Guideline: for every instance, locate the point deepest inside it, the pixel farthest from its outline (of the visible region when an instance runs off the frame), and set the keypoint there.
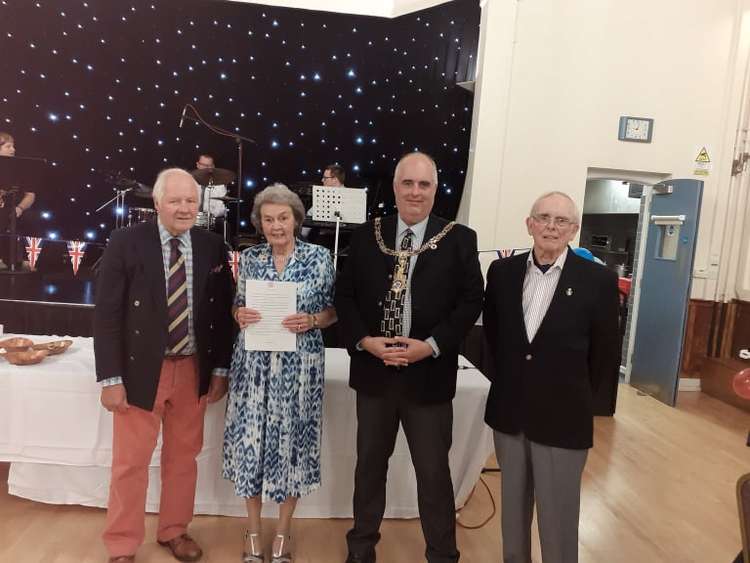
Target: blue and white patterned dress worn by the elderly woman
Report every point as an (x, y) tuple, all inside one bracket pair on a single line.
[(273, 422)]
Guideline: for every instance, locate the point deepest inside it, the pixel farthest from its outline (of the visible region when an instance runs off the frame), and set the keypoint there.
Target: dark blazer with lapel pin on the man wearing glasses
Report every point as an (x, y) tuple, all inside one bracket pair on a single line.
[(544, 388)]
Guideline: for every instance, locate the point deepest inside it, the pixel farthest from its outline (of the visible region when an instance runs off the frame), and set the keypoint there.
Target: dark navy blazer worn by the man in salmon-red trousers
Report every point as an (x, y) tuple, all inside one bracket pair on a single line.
[(130, 317)]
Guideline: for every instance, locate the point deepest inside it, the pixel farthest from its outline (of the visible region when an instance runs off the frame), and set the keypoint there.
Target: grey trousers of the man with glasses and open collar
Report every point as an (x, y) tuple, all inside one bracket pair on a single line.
[(552, 477)]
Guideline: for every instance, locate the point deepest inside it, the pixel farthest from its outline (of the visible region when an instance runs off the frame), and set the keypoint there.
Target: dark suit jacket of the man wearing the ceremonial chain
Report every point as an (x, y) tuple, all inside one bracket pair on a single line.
[(446, 298)]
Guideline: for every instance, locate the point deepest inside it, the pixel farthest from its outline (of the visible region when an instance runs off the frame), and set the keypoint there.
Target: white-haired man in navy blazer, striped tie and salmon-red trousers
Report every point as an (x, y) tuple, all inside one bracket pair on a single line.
[(162, 344)]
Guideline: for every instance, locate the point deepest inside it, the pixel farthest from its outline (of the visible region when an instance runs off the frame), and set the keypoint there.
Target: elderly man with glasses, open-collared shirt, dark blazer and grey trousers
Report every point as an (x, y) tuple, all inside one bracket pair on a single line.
[(551, 323)]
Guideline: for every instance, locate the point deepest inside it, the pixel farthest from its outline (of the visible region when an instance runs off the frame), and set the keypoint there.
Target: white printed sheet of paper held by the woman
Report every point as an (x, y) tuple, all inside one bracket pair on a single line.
[(274, 301)]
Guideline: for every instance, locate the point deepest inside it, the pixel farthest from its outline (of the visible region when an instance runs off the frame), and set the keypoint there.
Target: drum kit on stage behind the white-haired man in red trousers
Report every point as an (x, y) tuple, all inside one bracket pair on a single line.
[(207, 178)]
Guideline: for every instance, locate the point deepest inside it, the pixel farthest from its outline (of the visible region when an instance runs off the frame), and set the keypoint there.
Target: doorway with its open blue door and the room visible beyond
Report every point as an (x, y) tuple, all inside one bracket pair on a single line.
[(625, 222)]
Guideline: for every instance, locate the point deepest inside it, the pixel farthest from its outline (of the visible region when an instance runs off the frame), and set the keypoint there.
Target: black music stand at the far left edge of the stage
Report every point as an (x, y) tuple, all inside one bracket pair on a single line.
[(16, 171)]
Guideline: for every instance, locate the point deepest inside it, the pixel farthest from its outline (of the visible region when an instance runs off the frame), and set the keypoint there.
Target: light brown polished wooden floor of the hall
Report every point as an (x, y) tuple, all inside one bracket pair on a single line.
[(658, 486)]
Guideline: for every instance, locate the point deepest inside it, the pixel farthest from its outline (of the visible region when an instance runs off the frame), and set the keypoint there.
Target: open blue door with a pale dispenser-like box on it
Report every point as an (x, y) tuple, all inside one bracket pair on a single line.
[(665, 288)]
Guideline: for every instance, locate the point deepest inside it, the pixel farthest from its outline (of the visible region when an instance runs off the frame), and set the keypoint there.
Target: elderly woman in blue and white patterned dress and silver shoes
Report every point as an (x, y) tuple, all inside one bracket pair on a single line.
[(273, 421)]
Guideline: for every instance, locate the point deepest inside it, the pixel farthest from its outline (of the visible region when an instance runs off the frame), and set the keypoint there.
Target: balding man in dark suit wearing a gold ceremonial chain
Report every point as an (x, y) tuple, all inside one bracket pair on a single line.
[(404, 359)]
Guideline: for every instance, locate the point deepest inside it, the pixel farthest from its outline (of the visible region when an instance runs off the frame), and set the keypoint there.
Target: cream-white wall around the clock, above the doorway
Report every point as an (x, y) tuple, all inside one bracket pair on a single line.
[(554, 79)]
